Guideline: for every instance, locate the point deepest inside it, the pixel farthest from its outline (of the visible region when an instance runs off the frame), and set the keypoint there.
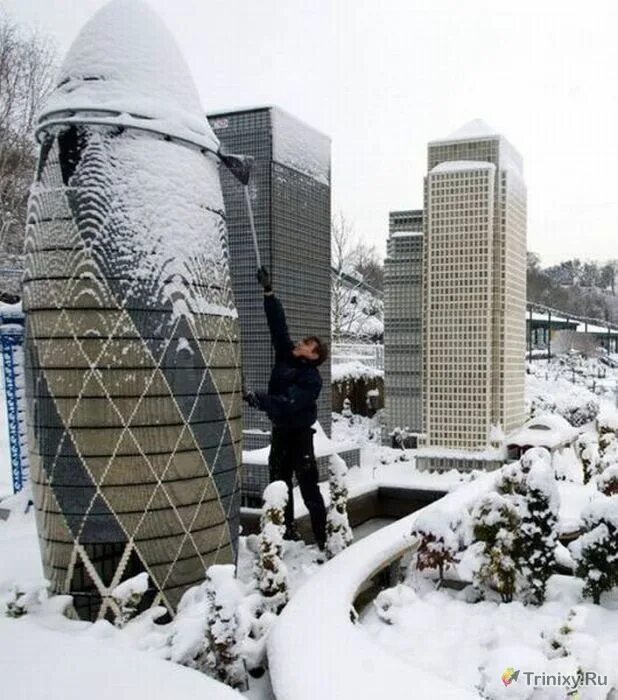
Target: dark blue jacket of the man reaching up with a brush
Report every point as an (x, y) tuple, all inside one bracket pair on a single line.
[(295, 383)]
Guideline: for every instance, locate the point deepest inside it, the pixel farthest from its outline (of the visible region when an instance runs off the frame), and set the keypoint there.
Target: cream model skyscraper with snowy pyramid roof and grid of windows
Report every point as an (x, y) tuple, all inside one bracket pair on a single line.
[(475, 288)]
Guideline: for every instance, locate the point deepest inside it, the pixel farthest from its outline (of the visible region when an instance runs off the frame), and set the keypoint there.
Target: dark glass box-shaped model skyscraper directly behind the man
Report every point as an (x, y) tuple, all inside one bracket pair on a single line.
[(290, 194)]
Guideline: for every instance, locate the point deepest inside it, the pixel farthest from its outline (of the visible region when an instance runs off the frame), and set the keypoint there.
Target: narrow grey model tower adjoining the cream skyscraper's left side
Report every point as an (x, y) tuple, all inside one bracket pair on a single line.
[(403, 309)]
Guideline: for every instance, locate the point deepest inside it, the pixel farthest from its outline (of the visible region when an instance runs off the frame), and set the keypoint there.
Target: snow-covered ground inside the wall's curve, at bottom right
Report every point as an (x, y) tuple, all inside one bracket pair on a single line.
[(475, 644)]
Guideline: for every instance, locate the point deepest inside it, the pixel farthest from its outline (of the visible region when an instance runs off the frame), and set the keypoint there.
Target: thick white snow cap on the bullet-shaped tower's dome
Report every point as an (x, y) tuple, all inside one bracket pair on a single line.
[(125, 68)]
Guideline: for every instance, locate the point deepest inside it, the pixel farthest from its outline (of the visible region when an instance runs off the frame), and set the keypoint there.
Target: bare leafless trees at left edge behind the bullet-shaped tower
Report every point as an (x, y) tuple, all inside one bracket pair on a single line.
[(27, 68)]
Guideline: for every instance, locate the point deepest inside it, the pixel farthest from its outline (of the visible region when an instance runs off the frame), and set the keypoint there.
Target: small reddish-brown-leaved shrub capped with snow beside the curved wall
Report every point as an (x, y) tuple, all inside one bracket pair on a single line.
[(438, 544)]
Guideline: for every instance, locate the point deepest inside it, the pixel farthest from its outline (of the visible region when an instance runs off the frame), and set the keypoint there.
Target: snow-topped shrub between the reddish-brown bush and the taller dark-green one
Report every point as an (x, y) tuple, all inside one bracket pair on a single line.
[(495, 522)]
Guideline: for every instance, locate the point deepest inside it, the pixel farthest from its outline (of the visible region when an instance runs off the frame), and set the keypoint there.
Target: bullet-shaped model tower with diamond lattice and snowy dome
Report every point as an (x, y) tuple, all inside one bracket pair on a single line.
[(133, 367)]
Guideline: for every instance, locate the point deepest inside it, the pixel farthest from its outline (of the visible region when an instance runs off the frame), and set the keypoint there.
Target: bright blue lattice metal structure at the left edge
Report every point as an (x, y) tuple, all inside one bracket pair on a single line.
[(11, 343)]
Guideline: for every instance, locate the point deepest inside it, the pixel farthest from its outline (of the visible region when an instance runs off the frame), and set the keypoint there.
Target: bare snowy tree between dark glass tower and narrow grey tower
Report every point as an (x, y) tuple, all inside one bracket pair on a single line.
[(355, 311)]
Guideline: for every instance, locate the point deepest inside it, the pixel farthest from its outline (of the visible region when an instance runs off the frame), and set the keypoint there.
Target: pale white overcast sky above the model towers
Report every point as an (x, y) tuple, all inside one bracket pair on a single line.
[(382, 78)]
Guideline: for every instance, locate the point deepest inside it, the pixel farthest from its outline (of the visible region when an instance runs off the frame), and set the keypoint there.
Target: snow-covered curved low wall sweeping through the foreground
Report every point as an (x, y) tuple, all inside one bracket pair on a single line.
[(316, 651)]
